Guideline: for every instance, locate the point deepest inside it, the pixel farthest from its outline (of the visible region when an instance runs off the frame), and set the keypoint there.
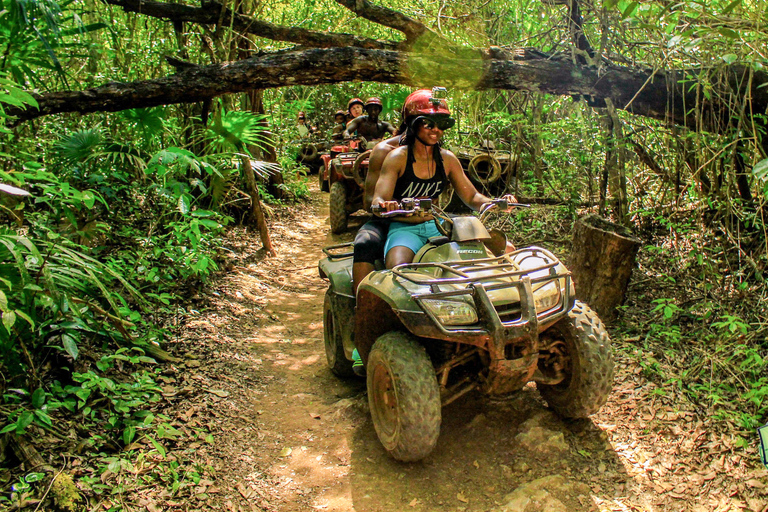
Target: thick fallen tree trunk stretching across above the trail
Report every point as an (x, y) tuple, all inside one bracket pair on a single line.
[(659, 95)]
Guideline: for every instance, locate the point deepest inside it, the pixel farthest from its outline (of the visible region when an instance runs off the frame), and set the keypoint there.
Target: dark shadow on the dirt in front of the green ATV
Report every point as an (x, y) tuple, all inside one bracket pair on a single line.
[(480, 459)]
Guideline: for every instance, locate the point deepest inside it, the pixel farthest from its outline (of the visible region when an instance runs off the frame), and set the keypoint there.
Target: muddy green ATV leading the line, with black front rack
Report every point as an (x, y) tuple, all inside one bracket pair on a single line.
[(463, 316)]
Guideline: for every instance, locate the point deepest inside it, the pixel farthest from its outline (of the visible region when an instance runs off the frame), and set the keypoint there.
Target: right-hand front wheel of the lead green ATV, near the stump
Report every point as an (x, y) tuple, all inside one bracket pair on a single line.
[(582, 349)]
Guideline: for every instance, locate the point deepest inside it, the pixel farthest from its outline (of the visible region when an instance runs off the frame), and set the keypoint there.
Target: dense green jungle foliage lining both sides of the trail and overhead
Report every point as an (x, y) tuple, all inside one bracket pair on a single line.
[(125, 211)]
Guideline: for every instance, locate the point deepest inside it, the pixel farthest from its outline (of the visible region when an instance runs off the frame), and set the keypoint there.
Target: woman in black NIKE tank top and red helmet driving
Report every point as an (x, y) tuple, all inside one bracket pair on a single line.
[(421, 168)]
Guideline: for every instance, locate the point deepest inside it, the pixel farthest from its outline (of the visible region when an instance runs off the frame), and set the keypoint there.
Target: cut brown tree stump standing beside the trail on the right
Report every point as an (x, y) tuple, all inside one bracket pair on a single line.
[(601, 262)]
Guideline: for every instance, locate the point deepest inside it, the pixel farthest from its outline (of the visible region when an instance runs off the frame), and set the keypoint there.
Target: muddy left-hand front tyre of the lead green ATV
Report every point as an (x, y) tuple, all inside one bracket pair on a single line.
[(403, 396)]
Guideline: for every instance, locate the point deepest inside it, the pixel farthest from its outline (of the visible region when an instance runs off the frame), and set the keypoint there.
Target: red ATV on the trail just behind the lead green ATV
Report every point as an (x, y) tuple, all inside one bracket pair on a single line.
[(343, 174)]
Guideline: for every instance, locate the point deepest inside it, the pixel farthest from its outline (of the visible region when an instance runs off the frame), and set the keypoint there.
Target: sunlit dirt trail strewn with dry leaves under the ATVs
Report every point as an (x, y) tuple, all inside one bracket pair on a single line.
[(290, 436)]
